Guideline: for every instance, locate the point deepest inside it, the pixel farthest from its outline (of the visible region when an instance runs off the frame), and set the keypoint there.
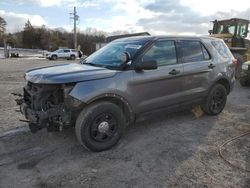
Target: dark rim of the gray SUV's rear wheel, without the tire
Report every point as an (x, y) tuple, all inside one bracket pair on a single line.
[(218, 101)]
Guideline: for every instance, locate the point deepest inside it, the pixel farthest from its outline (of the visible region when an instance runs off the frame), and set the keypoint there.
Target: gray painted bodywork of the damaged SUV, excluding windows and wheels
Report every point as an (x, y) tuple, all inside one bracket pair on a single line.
[(144, 90)]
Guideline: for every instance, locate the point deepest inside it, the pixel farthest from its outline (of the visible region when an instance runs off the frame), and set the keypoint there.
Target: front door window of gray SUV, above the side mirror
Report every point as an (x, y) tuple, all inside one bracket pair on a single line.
[(163, 52)]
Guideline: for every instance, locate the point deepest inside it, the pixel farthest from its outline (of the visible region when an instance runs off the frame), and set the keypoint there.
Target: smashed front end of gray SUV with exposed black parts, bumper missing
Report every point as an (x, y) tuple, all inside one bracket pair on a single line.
[(48, 106)]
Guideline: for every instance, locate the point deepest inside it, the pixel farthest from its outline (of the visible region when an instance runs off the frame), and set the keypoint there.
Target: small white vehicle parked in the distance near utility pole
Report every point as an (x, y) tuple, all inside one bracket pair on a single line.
[(69, 54)]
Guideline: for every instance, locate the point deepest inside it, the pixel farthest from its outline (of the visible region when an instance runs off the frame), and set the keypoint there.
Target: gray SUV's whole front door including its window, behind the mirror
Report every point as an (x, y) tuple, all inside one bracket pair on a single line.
[(156, 89)]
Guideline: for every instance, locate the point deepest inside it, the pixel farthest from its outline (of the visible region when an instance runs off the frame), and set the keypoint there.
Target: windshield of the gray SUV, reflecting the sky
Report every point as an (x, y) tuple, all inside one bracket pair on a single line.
[(110, 56)]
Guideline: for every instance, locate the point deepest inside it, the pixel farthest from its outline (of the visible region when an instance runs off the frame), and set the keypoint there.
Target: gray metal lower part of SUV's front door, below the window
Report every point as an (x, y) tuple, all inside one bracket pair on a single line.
[(152, 88)]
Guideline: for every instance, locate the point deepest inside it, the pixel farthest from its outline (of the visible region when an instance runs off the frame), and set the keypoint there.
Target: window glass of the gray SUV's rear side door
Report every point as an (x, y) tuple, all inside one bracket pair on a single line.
[(193, 51)]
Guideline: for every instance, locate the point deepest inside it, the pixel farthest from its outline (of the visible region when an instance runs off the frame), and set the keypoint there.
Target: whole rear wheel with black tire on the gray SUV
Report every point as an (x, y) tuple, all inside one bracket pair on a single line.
[(216, 100)]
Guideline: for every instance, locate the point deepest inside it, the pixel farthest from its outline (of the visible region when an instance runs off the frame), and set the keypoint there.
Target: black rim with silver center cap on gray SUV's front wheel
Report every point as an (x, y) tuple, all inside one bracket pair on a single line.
[(104, 127)]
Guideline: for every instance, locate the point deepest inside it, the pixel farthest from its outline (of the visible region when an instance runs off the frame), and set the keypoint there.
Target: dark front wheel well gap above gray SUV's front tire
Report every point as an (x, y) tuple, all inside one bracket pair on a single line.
[(122, 104)]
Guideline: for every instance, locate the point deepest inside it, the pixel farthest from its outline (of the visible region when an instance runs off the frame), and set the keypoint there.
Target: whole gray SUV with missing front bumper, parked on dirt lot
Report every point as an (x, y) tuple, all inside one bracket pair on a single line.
[(125, 80)]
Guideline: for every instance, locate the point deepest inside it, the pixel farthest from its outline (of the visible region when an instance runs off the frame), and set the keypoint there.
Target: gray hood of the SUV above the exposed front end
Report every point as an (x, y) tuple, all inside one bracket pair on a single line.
[(67, 73)]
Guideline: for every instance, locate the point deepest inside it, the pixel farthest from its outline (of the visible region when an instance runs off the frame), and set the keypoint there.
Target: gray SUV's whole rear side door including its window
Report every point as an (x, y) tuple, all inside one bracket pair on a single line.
[(198, 68)]
